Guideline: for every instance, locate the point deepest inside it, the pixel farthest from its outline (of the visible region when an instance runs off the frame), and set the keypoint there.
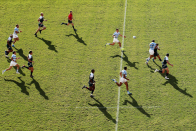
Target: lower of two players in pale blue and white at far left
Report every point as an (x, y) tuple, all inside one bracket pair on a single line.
[(13, 63)]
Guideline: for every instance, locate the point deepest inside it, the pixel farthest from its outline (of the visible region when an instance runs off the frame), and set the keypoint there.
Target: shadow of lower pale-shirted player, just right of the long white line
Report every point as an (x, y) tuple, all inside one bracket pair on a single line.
[(135, 104)]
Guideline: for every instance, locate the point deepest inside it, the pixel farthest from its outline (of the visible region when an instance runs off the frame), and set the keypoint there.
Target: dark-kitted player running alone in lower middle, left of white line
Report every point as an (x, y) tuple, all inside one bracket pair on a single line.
[(91, 83)]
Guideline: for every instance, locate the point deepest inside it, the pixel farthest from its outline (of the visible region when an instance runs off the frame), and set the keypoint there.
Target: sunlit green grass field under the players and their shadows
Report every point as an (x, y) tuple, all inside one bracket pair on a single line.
[(54, 100)]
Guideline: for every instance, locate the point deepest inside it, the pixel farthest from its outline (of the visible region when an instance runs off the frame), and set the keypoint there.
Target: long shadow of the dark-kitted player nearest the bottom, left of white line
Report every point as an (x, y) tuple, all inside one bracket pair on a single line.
[(103, 110)]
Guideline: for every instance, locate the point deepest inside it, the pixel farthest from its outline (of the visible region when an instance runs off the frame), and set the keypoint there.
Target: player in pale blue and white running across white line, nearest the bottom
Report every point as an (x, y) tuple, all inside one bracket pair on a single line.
[(123, 79)]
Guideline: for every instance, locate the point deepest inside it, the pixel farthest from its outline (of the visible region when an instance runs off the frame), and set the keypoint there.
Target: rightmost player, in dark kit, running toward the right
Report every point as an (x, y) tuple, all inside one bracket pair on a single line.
[(164, 66)]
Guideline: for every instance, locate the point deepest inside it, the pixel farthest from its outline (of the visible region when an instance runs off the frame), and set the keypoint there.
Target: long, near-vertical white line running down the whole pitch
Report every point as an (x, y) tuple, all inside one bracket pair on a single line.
[(117, 113)]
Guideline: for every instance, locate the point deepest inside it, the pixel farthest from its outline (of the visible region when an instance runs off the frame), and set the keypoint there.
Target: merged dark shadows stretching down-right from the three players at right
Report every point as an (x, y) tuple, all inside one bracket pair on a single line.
[(173, 81)]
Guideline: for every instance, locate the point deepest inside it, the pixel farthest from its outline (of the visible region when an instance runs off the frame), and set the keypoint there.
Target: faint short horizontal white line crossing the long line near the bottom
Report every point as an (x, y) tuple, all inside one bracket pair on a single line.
[(121, 107)]
